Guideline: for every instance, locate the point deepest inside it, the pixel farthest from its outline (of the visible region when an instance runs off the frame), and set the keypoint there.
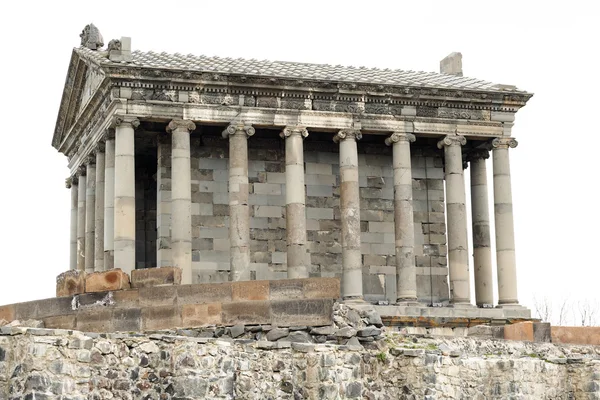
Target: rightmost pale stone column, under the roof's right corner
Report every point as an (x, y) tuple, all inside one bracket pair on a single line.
[(503, 218)]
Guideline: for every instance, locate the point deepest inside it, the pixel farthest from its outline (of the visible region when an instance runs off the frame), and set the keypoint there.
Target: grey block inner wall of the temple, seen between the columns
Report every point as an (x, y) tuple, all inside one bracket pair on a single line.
[(210, 210)]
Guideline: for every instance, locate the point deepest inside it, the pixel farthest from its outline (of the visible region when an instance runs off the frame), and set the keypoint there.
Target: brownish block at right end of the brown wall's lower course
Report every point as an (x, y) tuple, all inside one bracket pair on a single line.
[(301, 312)]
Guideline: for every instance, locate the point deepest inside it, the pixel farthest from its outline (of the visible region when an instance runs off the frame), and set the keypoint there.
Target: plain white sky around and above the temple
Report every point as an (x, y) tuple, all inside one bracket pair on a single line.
[(548, 48)]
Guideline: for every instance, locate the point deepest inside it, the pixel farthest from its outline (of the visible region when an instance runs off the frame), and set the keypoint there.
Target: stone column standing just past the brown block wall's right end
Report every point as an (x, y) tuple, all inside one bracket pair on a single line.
[(352, 287)]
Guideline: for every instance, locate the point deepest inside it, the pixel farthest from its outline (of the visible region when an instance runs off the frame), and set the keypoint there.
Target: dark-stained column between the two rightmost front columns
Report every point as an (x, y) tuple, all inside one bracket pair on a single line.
[(480, 216)]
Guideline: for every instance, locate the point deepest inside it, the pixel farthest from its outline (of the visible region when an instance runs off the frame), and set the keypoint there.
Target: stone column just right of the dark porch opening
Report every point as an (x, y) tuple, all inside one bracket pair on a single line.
[(181, 197)]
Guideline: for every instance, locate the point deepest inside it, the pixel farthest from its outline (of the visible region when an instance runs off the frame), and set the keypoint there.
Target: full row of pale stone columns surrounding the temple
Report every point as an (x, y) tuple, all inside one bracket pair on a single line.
[(102, 234)]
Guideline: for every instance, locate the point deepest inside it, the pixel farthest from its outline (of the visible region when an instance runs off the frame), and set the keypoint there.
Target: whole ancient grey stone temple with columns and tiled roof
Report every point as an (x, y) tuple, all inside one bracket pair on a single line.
[(239, 170)]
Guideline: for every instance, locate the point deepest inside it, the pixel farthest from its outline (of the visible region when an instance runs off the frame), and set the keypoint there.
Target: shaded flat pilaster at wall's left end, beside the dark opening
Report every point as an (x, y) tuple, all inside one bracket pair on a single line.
[(163, 201)]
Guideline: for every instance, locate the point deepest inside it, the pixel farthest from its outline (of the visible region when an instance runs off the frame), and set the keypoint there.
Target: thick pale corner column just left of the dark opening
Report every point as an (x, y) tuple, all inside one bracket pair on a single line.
[(124, 238)]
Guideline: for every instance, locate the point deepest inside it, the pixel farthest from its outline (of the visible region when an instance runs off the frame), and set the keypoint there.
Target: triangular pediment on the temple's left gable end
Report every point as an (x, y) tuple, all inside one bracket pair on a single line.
[(83, 79)]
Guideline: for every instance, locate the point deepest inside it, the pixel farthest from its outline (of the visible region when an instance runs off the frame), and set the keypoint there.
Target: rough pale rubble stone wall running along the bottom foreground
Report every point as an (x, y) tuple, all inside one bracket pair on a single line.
[(69, 365)]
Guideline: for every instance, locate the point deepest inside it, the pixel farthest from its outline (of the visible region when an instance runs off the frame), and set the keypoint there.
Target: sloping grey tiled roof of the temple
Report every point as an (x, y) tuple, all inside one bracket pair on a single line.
[(301, 71)]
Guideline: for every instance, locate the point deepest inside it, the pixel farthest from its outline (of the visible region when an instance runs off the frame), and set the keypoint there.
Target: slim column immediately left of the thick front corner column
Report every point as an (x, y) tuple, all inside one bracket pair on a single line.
[(109, 200)]
